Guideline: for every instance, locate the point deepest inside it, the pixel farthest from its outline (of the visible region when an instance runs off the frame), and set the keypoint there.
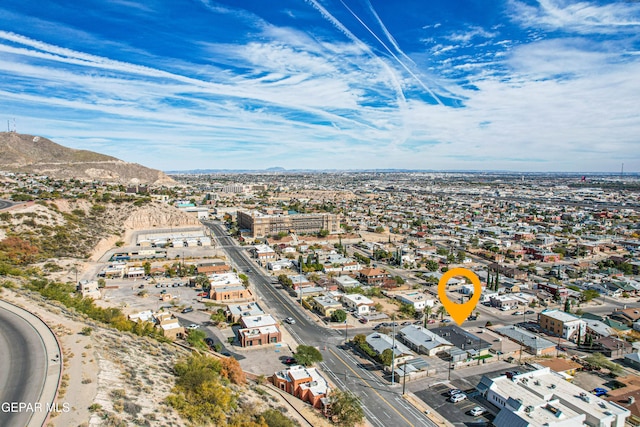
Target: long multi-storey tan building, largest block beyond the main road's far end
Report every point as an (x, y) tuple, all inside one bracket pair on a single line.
[(260, 224)]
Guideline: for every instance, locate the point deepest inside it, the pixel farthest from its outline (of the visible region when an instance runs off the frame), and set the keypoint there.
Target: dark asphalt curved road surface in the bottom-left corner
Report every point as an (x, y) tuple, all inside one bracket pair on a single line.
[(23, 368)]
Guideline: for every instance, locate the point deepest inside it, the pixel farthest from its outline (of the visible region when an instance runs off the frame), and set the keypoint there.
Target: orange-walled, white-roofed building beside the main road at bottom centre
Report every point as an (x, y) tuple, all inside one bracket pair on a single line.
[(304, 383)]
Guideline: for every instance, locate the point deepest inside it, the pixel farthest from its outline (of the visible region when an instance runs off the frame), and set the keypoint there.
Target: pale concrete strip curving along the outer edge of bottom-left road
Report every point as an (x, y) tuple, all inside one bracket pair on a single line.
[(53, 354)]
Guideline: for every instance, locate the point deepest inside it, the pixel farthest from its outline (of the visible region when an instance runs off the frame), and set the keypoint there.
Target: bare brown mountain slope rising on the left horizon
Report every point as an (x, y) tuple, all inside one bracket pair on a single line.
[(35, 154)]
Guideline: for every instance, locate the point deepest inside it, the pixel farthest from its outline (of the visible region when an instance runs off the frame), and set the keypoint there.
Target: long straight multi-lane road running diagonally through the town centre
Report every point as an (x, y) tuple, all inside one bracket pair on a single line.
[(383, 405)]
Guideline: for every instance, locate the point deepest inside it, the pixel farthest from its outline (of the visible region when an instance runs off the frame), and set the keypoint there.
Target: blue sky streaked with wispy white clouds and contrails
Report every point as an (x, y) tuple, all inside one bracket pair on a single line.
[(523, 85)]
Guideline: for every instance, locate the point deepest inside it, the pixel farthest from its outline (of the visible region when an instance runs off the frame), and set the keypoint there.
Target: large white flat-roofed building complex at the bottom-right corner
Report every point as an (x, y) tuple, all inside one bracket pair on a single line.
[(542, 398)]
